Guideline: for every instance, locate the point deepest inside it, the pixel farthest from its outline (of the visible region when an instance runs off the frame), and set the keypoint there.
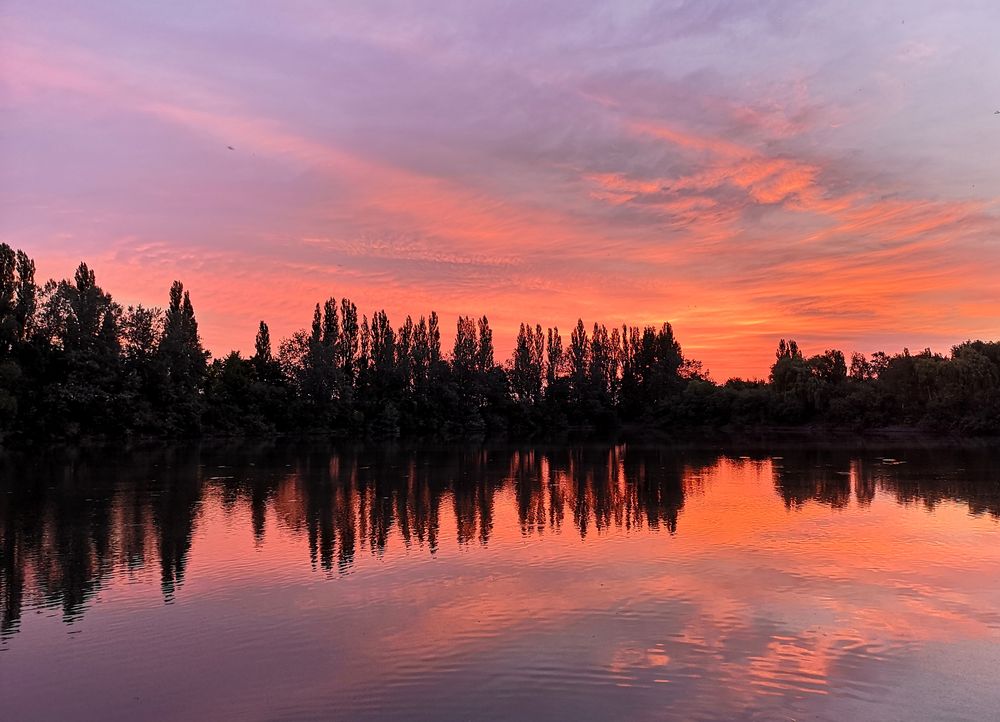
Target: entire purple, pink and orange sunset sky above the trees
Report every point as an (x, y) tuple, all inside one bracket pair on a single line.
[(827, 171)]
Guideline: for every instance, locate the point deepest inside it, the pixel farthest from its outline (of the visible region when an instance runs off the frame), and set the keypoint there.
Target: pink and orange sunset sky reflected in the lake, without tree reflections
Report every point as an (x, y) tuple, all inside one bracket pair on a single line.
[(842, 606)]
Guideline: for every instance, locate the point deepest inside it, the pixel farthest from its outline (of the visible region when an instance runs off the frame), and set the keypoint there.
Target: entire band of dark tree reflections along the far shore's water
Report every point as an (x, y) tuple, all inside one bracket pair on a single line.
[(67, 525)]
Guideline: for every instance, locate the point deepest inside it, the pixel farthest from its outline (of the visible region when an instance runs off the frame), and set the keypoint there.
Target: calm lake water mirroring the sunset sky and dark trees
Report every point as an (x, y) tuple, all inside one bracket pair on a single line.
[(615, 582)]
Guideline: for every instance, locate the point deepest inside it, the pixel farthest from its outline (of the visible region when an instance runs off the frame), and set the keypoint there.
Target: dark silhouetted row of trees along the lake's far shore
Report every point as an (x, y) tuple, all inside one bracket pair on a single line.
[(75, 363)]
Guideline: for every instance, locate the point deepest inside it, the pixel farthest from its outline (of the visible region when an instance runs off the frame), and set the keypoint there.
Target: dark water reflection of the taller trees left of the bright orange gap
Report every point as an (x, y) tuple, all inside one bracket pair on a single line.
[(70, 524)]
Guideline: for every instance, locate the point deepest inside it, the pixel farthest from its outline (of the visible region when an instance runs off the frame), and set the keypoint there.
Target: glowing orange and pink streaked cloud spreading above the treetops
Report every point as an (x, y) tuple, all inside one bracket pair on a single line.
[(736, 241)]
